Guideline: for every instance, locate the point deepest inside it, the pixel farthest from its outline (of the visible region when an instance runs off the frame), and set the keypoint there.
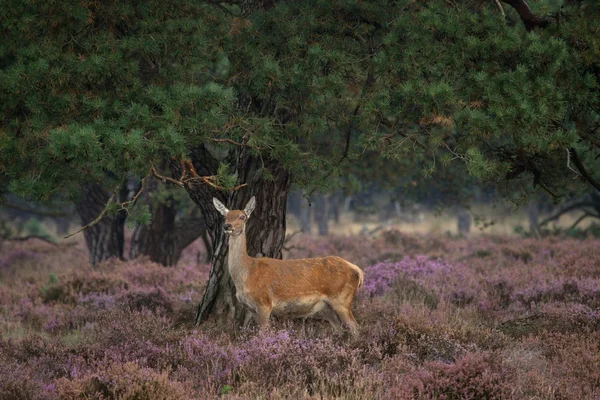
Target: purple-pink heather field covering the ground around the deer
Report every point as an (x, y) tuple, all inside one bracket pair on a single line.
[(441, 318)]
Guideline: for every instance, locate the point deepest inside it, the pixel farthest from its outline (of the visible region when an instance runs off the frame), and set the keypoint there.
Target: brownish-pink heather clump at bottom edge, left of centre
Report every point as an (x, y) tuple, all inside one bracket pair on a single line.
[(126, 381)]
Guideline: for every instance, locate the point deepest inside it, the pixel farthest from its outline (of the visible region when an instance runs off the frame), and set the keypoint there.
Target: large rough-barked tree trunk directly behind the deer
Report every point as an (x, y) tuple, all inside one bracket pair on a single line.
[(265, 231)]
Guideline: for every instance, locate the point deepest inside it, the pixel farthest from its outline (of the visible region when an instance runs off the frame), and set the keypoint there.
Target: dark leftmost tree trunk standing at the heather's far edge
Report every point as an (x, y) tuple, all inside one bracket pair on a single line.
[(105, 239)]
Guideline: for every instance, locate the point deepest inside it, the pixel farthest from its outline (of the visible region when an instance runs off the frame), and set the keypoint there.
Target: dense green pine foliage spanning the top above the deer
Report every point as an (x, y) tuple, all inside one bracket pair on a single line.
[(427, 89)]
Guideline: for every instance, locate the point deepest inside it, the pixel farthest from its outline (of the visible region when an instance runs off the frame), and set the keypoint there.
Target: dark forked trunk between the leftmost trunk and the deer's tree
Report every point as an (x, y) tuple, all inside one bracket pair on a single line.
[(165, 238)]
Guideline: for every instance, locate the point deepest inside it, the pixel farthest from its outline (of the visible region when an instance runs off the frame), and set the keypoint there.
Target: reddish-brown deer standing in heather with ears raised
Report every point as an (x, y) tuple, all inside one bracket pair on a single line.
[(309, 287)]
